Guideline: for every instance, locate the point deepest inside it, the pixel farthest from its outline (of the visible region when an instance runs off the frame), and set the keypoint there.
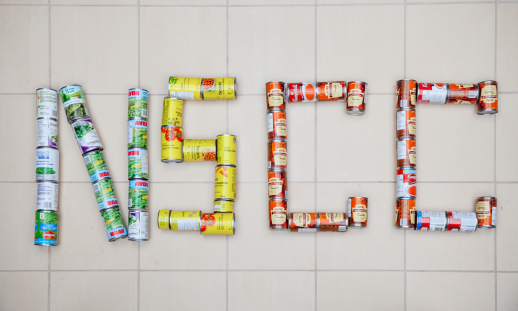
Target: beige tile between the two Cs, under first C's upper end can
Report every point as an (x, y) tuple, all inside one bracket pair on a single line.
[(353, 148)]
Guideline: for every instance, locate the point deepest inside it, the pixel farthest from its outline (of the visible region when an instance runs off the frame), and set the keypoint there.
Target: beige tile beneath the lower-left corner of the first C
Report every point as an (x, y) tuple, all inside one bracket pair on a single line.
[(255, 246)]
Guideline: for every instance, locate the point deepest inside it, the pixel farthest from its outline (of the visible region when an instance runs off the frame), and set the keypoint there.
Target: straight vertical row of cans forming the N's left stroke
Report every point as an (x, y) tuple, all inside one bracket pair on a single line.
[(47, 168)]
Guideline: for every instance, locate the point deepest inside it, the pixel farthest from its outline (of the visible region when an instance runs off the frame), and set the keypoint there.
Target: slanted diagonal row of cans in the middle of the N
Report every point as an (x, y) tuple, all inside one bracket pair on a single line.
[(91, 149)]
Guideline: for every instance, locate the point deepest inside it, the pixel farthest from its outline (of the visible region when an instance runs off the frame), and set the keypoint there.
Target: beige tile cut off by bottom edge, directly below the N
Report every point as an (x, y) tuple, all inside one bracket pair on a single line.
[(93, 290)]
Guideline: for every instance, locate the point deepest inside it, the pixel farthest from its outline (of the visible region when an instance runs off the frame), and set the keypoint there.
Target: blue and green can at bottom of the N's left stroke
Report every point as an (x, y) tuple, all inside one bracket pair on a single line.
[(46, 228)]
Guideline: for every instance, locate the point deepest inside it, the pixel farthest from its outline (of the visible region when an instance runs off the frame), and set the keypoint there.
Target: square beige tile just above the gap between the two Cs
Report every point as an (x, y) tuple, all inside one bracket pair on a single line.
[(365, 42)]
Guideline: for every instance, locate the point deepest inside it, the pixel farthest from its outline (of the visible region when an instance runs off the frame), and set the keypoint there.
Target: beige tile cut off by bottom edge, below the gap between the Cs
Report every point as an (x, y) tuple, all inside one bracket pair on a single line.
[(360, 290)]
